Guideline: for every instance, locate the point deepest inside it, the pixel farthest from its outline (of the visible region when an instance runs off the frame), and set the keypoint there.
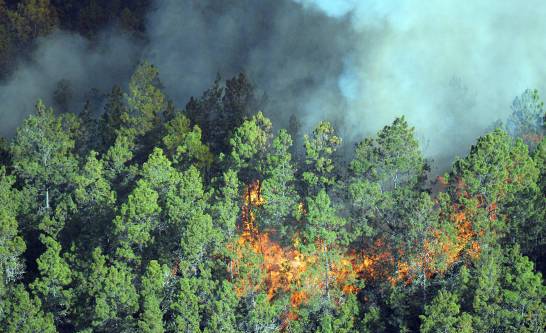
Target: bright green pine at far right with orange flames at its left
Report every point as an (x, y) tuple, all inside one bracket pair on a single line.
[(499, 175)]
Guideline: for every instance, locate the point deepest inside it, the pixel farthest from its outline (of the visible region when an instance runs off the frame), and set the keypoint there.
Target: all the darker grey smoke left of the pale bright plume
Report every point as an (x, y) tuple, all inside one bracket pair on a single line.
[(295, 56)]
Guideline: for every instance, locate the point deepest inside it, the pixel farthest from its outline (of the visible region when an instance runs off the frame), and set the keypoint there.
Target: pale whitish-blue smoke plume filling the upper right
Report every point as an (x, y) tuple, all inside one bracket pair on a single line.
[(451, 67)]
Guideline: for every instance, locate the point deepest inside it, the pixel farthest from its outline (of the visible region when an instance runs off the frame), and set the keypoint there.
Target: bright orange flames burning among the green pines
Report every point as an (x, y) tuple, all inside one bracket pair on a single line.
[(283, 269)]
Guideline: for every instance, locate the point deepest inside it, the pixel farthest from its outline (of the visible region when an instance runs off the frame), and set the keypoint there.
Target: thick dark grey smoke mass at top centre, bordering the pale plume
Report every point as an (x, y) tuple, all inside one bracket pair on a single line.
[(296, 56)]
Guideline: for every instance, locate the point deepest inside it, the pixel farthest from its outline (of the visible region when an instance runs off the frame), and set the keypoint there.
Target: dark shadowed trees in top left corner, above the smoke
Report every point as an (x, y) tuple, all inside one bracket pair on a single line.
[(23, 22)]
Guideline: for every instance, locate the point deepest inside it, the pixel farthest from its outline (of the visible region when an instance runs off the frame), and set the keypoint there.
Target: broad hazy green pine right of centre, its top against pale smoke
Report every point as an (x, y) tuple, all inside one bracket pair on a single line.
[(386, 177)]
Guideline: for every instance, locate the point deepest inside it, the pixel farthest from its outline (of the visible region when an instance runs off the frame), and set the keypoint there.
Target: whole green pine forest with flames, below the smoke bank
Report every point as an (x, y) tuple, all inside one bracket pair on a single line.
[(143, 216)]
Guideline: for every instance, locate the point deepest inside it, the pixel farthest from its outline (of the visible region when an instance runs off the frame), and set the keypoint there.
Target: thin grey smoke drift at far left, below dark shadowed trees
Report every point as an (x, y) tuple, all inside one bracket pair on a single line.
[(69, 60)]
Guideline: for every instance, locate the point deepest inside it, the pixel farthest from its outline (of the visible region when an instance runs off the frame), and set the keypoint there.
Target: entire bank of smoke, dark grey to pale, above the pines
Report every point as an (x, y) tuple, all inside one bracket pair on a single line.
[(451, 67)]
